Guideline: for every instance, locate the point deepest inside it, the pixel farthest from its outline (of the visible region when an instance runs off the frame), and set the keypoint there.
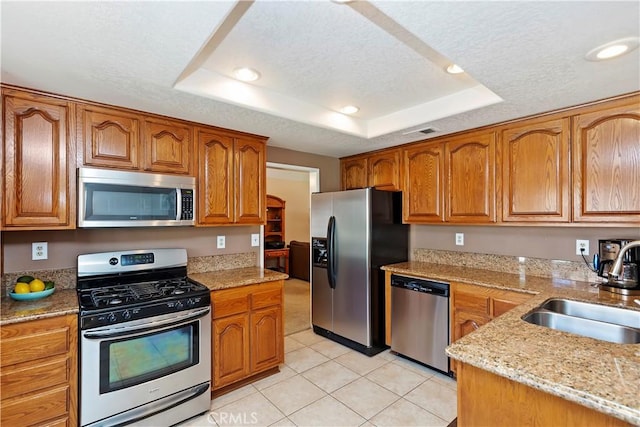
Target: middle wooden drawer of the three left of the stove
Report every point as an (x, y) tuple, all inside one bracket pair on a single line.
[(33, 376)]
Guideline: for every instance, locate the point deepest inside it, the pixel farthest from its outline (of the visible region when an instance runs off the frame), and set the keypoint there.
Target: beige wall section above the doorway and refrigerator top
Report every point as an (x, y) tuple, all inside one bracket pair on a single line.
[(329, 166)]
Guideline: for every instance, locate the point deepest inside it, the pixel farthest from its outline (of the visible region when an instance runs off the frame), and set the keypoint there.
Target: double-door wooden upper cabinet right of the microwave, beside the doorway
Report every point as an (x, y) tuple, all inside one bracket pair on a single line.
[(231, 178)]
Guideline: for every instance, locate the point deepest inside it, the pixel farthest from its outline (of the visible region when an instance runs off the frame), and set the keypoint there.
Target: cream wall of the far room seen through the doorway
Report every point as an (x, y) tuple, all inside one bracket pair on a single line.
[(293, 187)]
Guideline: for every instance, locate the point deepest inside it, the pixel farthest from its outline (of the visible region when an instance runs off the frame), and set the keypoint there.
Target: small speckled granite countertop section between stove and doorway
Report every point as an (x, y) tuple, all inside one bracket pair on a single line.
[(223, 279)]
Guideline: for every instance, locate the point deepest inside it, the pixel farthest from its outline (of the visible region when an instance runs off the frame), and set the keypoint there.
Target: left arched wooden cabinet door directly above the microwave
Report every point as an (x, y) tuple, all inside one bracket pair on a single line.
[(109, 137)]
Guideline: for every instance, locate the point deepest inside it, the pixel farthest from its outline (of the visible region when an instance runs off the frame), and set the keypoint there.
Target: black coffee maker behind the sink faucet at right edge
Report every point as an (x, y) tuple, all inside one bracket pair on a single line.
[(608, 252)]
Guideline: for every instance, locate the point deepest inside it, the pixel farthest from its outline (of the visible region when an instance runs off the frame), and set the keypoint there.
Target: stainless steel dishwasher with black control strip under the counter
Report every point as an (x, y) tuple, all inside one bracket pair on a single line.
[(420, 320)]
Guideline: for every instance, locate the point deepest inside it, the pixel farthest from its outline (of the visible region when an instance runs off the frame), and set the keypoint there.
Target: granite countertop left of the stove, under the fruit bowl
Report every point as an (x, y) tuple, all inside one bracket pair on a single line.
[(61, 302)]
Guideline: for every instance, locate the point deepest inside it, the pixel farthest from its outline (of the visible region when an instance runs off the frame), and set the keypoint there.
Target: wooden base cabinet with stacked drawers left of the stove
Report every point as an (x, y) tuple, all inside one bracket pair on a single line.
[(39, 372)]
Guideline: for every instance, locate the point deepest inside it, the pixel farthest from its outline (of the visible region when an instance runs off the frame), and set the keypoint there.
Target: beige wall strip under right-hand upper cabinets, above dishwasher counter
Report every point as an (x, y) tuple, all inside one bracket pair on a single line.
[(537, 242)]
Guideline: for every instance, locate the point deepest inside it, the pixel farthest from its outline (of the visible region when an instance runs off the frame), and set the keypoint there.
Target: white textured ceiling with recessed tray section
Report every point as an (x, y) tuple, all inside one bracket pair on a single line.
[(387, 57)]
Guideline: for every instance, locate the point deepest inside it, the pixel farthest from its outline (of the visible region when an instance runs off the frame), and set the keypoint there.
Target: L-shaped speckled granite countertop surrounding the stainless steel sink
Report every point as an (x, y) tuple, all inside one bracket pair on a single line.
[(597, 374)]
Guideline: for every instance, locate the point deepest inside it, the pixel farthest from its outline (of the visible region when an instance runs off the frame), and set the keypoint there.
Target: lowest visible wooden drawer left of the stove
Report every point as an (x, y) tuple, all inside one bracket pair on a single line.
[(35, 408)]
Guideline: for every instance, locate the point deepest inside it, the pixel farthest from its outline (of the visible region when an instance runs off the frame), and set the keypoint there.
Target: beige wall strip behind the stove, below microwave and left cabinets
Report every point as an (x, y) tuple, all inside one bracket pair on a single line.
[(65, 246)]
